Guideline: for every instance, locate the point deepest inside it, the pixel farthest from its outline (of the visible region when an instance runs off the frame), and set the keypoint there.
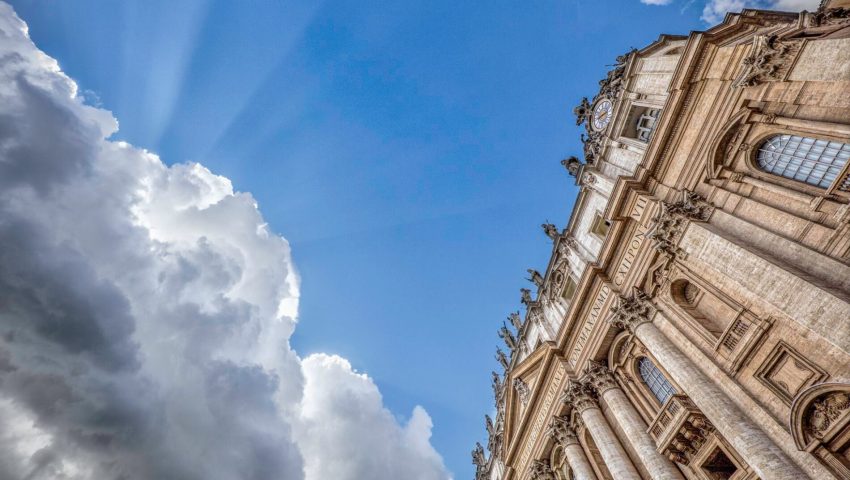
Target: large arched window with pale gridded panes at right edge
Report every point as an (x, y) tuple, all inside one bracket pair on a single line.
[(809, 160)]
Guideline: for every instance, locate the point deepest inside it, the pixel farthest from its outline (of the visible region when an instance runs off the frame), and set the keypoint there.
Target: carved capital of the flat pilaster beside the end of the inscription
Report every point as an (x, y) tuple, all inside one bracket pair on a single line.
[(672, 219)]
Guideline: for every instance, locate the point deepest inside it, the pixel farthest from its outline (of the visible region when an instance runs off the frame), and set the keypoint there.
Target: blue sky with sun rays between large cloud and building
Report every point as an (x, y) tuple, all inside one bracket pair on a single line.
[(408, 151)]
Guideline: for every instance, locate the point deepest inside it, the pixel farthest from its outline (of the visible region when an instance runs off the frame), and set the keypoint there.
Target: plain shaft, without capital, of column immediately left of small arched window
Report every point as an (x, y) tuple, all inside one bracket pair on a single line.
[(659, 467)]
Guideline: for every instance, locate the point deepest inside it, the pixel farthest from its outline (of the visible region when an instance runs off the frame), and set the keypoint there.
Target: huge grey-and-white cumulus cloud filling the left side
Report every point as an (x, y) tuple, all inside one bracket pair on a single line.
[(145, 315)]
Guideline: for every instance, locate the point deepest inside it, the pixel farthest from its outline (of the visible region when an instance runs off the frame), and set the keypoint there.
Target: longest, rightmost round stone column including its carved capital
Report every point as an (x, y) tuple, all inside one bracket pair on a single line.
[(750, 441)]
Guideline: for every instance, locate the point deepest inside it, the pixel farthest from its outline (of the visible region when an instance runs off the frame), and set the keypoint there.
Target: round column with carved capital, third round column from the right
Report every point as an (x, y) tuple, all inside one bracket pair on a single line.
[(581, 397)]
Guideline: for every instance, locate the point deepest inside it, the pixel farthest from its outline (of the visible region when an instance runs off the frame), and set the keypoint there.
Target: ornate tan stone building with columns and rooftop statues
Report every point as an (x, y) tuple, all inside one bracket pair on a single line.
[(693, 321)]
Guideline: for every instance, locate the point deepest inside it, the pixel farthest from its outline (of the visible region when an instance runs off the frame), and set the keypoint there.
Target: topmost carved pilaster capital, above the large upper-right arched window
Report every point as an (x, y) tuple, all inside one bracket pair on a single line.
[(769, 61)]
